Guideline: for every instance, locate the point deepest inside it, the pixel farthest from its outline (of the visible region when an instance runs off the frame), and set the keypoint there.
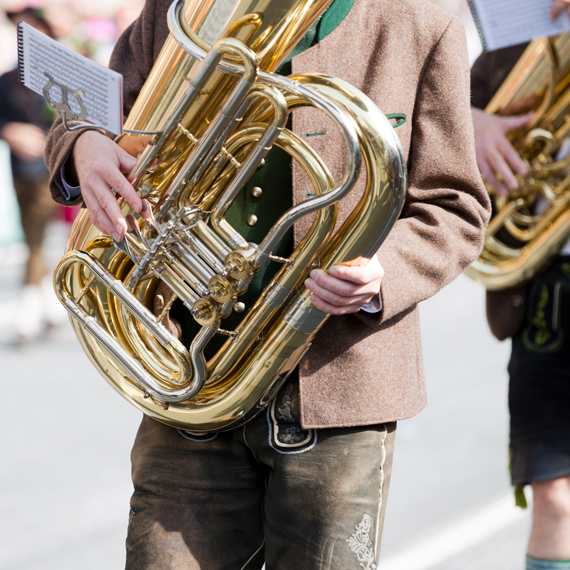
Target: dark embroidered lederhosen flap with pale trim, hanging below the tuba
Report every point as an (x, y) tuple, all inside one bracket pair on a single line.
[(285, 429)]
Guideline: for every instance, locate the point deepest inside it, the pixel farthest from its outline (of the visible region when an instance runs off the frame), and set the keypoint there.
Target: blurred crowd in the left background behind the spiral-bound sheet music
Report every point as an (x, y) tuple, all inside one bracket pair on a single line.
[(26, 209)]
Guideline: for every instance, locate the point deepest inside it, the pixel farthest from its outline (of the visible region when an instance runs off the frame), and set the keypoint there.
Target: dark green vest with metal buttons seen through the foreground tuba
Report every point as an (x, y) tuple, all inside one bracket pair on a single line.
[(275, 179)]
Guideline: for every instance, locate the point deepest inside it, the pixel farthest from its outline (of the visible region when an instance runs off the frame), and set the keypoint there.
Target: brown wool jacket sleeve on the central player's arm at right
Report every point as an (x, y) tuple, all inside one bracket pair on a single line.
[(442, 227)]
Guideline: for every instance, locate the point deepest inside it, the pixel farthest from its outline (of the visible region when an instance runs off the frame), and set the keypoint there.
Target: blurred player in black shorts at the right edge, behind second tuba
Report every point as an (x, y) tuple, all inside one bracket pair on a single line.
[(539, 388)]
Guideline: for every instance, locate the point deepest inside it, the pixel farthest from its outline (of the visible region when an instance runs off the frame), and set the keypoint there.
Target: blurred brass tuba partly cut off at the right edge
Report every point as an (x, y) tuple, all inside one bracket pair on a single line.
[(531, 225)]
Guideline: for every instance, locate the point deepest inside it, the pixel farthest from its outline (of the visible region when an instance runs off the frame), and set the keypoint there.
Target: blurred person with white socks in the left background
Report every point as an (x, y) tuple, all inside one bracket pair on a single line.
[(25, 119)]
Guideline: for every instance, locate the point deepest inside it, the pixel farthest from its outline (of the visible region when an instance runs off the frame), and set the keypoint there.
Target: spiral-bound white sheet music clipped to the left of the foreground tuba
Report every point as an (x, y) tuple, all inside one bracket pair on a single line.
[(103, 88)]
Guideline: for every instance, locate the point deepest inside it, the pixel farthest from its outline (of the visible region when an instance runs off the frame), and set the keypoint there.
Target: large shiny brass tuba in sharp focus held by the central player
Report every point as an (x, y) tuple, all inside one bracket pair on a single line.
[(211, 109)]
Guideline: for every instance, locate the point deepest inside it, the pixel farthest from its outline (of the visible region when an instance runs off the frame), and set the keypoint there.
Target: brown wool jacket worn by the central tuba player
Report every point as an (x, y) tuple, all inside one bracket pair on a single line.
[(409, 57)]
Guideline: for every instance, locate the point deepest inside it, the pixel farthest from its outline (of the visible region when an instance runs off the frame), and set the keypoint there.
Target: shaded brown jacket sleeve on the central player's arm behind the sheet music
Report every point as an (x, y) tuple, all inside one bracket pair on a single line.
[(132, 56)]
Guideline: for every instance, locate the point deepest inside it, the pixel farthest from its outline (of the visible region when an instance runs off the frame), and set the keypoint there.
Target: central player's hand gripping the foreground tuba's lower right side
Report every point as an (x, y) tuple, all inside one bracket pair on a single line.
[(345, 289)]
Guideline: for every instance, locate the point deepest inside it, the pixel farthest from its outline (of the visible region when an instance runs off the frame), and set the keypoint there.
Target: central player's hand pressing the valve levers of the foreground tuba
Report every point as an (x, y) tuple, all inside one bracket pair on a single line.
[(100, 165)]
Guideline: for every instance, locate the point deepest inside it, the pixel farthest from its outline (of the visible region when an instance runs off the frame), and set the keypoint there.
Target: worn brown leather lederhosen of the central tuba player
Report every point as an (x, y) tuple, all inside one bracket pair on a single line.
[(210, 502)]
